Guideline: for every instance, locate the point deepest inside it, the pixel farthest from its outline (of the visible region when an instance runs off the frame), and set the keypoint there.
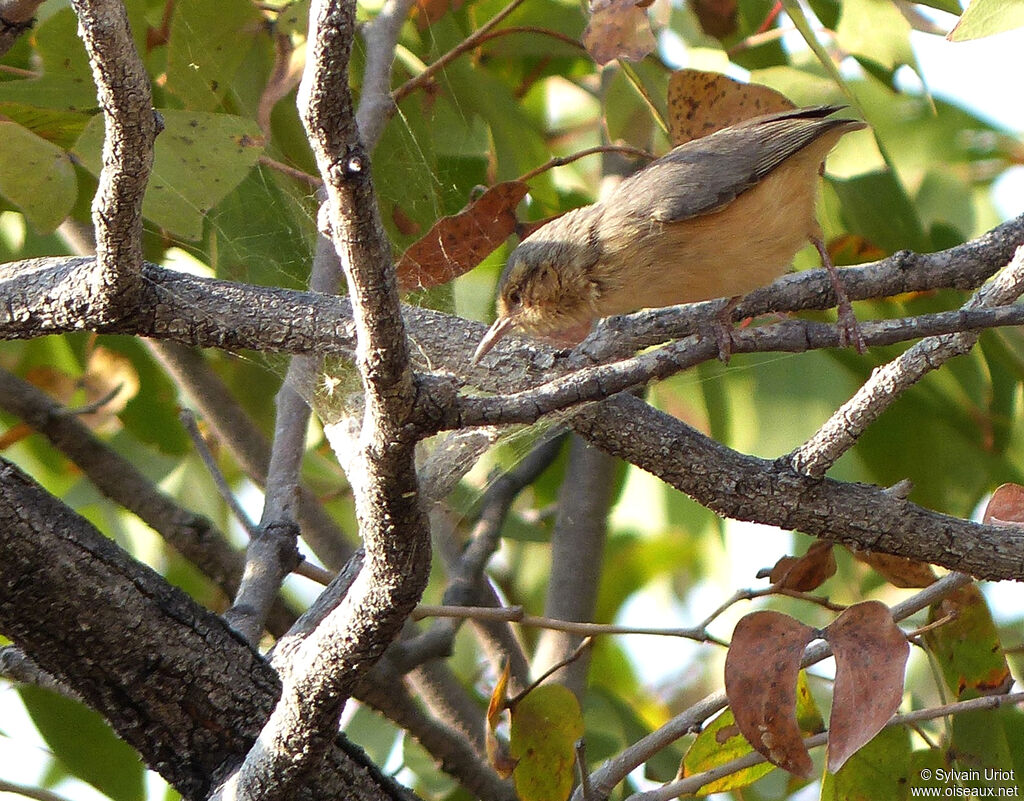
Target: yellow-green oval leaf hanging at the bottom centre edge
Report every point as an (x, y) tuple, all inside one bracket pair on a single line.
[(546, 726)]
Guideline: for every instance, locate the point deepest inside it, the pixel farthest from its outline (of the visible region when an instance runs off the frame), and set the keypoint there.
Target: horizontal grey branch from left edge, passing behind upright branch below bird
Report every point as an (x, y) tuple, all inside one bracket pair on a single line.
[(46, 297)]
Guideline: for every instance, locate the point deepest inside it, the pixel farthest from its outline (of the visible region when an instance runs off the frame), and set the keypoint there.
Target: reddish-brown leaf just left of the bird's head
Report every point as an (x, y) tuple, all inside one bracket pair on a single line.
[(455, 245)]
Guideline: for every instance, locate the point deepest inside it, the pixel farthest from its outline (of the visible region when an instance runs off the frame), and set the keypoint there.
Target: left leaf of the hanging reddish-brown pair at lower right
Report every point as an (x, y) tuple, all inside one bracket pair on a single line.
[(761, 671)]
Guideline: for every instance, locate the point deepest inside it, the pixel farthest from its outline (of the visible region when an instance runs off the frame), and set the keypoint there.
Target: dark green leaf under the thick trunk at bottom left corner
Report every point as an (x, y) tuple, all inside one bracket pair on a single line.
[(86, 745)]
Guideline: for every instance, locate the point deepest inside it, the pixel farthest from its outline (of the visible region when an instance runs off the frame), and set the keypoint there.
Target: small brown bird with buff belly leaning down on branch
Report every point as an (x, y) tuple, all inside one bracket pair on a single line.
[(715, 218)]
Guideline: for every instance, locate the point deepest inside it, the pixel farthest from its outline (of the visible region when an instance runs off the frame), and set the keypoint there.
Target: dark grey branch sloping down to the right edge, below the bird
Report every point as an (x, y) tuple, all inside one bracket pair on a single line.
[(750, 489)]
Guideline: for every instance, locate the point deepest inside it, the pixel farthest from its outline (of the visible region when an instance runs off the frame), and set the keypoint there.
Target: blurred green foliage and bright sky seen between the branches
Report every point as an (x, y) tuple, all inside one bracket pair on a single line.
[(228, 199)]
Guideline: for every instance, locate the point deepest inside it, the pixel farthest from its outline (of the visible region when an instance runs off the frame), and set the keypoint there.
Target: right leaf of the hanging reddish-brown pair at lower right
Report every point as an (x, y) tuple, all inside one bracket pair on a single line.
[(871, 658)]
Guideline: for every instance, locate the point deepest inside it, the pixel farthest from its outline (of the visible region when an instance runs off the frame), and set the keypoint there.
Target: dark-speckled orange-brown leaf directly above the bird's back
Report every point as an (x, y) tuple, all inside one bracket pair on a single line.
[(702, 103)]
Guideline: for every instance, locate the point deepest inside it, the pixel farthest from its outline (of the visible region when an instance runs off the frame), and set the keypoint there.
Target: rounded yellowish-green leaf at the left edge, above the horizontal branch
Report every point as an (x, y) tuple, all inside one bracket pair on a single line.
[(37, 177)]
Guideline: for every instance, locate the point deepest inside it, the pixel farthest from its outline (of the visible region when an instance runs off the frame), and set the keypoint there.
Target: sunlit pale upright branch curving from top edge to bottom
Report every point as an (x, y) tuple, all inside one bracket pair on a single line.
[(327, 665)]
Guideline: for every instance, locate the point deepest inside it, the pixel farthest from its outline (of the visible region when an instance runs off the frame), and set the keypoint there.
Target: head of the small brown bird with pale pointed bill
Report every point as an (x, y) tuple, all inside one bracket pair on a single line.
[(548, 290)]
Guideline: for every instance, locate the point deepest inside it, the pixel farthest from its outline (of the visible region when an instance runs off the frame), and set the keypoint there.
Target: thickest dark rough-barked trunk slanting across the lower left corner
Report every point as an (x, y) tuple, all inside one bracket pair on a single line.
[(174, 680)]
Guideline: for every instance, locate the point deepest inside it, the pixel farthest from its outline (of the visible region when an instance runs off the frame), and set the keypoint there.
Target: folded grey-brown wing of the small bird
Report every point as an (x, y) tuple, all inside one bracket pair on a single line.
[(706, 175)]
